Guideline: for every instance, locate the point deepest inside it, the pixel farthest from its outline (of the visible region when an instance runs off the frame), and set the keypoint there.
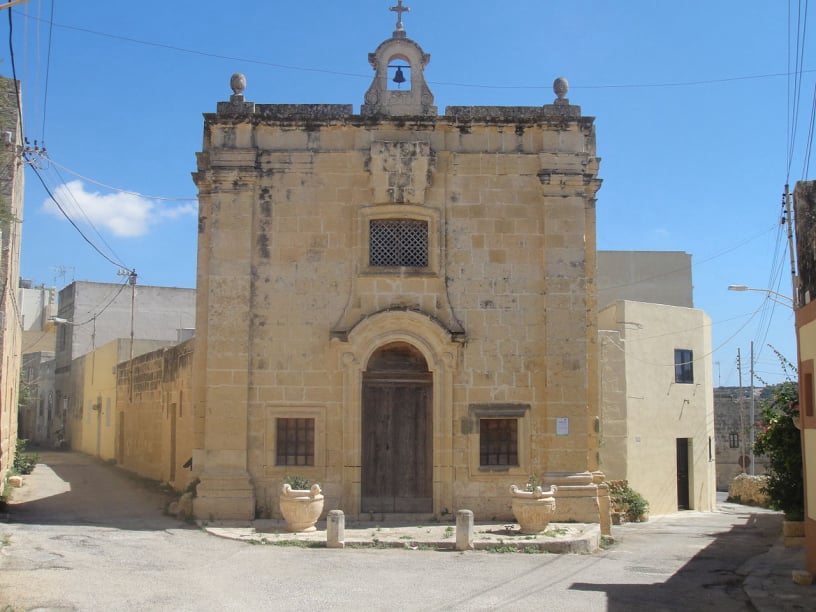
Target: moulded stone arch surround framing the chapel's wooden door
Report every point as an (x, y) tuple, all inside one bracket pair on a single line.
[(441, 354)]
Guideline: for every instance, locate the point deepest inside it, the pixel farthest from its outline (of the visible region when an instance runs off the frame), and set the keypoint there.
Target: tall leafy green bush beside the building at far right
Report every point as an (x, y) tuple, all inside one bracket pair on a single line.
[(779, 439)]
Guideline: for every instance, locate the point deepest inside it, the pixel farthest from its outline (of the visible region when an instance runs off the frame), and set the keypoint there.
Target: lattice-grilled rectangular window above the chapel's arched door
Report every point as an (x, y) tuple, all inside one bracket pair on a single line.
[(398, 242)]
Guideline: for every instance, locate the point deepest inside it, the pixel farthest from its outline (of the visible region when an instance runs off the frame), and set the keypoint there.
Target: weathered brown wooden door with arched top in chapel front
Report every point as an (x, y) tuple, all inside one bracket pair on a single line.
[(397, 453)]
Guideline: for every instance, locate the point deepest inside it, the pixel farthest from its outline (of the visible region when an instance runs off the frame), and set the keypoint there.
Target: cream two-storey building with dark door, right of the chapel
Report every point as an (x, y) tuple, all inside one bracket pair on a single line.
[(657, 406)]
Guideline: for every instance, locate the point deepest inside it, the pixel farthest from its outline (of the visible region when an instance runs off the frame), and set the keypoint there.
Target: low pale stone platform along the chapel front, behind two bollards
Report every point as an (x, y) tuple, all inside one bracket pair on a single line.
[(577, 538)]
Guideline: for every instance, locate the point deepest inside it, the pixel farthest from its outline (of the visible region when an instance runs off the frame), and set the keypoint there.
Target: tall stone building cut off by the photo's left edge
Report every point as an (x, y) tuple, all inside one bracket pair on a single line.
[(11, 213)]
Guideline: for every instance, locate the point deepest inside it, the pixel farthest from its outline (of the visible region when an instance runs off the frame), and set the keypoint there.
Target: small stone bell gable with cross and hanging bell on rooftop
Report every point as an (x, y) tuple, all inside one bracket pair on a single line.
[(399, 88)]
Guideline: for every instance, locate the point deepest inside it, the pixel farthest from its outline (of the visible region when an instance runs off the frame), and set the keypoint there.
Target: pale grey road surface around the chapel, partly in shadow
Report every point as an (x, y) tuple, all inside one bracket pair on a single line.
[(83, 535)]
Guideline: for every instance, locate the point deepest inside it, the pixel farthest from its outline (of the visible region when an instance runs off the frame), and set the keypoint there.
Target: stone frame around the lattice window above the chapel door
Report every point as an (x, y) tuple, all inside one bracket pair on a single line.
[(407, 212)]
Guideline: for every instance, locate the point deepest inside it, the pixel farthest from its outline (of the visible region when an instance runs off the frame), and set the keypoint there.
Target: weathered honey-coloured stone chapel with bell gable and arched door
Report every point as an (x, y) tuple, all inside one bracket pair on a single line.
[(397, 304)]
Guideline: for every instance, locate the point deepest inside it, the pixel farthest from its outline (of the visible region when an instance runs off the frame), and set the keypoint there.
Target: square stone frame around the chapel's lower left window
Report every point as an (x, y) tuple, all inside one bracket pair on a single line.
[(288, 411)]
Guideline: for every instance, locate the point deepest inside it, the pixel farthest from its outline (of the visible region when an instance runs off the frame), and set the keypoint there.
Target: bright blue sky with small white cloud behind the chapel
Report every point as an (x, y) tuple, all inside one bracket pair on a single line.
[(692, 103)]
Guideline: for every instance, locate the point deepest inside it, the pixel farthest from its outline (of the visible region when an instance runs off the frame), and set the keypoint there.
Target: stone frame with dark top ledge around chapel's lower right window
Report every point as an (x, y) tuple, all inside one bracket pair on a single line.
[(472, 425)]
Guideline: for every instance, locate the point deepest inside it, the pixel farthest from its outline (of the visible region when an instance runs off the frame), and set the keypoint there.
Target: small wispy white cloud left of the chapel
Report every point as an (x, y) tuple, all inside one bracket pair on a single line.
[(125, 215)]
